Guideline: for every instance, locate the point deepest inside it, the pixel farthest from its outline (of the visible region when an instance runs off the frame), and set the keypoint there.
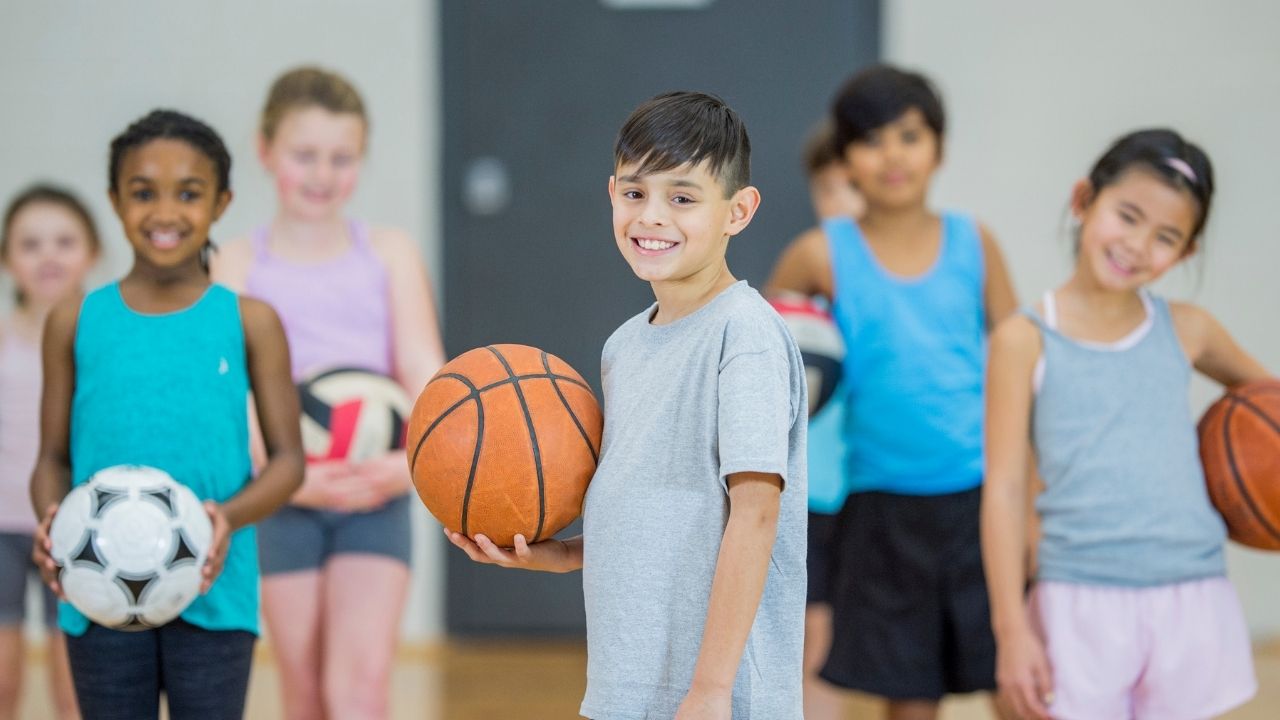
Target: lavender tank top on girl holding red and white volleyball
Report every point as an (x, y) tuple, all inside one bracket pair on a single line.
[(336, 313)]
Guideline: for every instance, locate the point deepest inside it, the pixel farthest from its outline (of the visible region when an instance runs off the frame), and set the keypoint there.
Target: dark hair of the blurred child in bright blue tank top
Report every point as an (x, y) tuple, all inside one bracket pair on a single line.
[(880, 95)]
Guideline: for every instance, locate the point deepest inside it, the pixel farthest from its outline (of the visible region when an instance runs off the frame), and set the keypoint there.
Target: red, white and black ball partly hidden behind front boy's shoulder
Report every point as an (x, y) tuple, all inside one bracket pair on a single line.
[(820, 341)]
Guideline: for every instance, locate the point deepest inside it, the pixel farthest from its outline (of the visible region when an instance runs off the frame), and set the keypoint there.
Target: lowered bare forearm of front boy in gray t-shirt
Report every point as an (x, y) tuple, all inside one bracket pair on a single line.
[(742, 569)]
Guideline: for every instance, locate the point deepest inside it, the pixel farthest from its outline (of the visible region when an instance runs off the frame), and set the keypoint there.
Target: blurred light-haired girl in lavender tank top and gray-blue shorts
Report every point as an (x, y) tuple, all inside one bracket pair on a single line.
[(336, 560)]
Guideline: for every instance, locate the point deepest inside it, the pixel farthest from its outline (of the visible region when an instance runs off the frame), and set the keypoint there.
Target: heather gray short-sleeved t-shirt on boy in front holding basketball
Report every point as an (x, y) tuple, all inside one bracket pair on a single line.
[(687, 404)]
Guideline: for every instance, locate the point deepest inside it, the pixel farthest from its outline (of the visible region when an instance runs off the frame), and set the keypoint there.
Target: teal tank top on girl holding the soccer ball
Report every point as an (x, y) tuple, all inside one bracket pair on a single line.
[(170, 391)]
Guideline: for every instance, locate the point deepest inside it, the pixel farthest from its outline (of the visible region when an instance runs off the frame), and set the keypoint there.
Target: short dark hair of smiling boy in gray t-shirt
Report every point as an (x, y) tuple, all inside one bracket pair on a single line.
[(680, 129)]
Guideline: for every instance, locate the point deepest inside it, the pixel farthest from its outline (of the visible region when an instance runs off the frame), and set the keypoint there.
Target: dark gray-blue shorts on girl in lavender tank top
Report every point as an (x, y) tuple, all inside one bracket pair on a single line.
[(301, 539)]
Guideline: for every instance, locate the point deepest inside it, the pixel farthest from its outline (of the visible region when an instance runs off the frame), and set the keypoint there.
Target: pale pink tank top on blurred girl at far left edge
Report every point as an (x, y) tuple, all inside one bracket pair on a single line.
[(20, 431)]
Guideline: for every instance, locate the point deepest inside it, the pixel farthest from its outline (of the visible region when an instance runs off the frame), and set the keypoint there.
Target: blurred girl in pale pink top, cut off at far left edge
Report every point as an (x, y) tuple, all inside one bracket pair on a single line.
[(49, 244)]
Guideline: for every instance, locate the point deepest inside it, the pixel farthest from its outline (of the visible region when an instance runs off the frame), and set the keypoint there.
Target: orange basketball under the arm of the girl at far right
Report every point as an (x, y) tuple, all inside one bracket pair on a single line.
[(1240, 440)]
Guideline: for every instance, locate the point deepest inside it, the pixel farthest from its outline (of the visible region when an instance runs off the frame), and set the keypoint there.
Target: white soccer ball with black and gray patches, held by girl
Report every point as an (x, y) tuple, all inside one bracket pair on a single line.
[(131, 544)]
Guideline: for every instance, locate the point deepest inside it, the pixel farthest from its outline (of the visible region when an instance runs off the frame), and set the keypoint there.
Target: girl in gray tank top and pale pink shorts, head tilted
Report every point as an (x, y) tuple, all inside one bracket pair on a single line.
[(1131, 614)]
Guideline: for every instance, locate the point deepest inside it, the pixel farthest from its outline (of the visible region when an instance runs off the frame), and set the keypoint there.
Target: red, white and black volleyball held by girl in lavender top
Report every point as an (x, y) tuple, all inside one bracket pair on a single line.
[(351, 414)]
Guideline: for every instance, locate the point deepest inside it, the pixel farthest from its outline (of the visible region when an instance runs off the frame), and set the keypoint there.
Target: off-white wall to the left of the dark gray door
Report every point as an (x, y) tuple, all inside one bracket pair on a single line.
[(75, 74)]
